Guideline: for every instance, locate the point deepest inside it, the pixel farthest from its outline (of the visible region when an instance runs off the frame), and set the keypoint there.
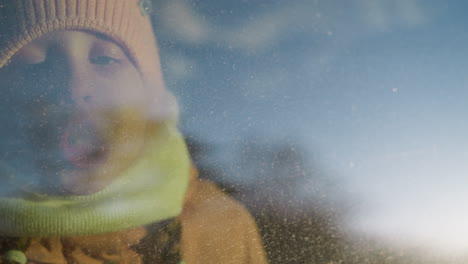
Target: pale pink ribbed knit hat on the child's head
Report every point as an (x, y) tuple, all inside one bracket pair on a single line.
[(22, 21)]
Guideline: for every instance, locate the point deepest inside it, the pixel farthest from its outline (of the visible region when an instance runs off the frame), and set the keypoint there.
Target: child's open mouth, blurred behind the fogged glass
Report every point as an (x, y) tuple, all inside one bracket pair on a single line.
[(82, 145)]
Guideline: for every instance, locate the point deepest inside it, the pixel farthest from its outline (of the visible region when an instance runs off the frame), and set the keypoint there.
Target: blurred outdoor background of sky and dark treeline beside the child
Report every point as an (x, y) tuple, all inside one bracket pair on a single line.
[(339, 124)]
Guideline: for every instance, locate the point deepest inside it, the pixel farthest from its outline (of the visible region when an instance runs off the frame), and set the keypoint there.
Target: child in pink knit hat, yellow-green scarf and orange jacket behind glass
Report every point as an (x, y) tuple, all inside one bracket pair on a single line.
[(92, 166)]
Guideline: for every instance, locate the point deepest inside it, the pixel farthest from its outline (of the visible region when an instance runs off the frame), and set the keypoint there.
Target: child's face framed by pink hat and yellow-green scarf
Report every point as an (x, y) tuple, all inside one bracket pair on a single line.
[(73, 113)]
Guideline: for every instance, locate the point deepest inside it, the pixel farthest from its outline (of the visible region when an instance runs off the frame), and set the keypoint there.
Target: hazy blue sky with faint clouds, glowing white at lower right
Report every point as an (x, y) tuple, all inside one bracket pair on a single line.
[(377, 87)]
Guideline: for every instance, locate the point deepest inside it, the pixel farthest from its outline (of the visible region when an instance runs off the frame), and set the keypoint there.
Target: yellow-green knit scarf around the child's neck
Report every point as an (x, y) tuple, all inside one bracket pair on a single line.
[(150, 191)]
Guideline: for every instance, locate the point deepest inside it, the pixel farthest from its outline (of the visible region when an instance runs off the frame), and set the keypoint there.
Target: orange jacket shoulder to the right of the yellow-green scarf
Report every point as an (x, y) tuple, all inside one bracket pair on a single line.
[(217, 229)]
